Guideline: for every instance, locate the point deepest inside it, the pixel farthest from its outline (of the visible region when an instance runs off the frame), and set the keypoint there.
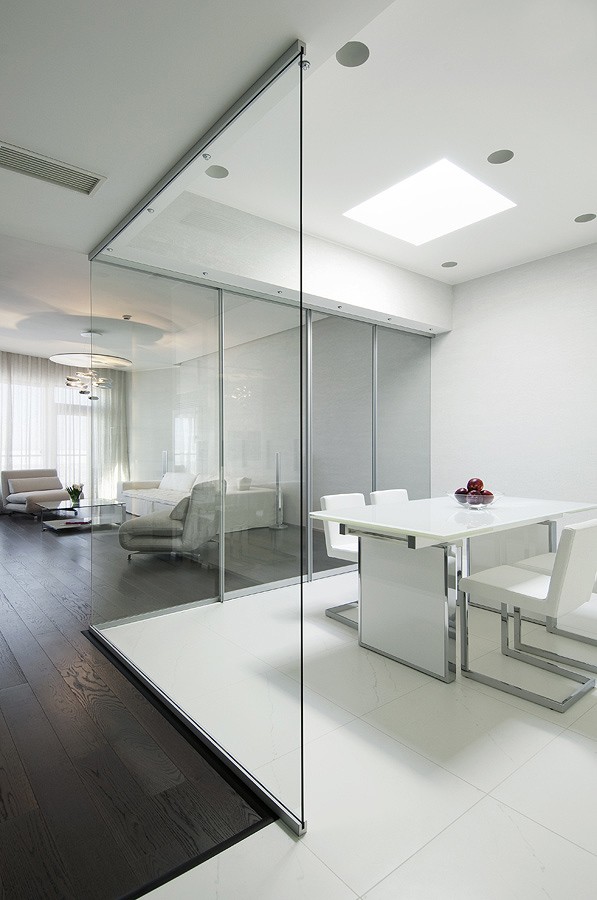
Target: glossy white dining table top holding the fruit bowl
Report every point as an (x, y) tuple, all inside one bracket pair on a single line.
[(443, 520)]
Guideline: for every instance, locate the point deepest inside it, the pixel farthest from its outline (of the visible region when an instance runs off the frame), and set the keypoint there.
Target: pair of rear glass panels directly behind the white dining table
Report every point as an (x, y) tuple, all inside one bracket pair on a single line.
[(370, 416)]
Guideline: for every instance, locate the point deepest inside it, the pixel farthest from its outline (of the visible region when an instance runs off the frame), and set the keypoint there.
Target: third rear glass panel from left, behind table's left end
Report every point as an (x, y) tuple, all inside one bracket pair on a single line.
[(341, 417)]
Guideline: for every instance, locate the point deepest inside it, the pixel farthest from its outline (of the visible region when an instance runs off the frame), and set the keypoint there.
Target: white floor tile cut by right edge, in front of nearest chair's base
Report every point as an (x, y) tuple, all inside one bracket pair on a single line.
[(557, 789)]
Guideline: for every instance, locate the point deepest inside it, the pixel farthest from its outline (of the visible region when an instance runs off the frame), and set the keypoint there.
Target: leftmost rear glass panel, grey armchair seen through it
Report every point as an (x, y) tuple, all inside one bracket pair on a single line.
[(155, 434)]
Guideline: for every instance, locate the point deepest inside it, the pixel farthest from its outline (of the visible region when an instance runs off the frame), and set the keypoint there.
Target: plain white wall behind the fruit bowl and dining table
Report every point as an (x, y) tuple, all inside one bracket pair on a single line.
[(514, 385)]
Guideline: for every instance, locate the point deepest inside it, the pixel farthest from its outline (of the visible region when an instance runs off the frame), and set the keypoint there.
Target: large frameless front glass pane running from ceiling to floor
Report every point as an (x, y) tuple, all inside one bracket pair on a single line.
[(234, 668)]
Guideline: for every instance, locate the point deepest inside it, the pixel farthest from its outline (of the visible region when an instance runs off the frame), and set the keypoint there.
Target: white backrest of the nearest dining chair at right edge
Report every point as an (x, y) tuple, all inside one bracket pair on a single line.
[(573, 576)]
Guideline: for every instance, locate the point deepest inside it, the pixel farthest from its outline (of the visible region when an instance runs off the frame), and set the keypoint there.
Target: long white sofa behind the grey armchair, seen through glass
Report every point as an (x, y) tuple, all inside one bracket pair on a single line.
[(254, 507)]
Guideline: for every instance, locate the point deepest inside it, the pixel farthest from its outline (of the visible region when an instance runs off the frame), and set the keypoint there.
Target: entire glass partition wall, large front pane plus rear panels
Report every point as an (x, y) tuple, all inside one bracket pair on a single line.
[(223, 378)]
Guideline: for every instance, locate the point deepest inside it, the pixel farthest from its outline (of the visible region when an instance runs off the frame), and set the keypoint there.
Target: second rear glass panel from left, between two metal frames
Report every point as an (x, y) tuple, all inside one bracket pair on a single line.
[(261, 443)]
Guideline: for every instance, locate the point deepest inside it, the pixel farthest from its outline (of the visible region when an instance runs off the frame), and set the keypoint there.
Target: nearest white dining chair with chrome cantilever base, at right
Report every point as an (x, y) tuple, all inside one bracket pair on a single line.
[(569, 586)]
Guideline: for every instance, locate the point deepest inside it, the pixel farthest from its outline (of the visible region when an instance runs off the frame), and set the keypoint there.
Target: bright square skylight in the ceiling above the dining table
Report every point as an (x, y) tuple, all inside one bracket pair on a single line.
[(438, 200)]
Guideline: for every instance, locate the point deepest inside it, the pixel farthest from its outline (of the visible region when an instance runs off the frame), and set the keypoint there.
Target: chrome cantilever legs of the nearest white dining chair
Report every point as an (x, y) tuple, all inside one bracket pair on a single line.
[(586, 684)]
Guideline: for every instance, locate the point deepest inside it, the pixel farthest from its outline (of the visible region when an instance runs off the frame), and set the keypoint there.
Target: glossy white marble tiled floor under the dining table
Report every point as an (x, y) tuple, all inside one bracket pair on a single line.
[(414, 788)]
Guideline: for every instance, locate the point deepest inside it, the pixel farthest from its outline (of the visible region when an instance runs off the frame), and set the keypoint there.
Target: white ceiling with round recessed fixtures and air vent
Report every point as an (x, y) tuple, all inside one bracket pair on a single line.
[(124, 89)]
